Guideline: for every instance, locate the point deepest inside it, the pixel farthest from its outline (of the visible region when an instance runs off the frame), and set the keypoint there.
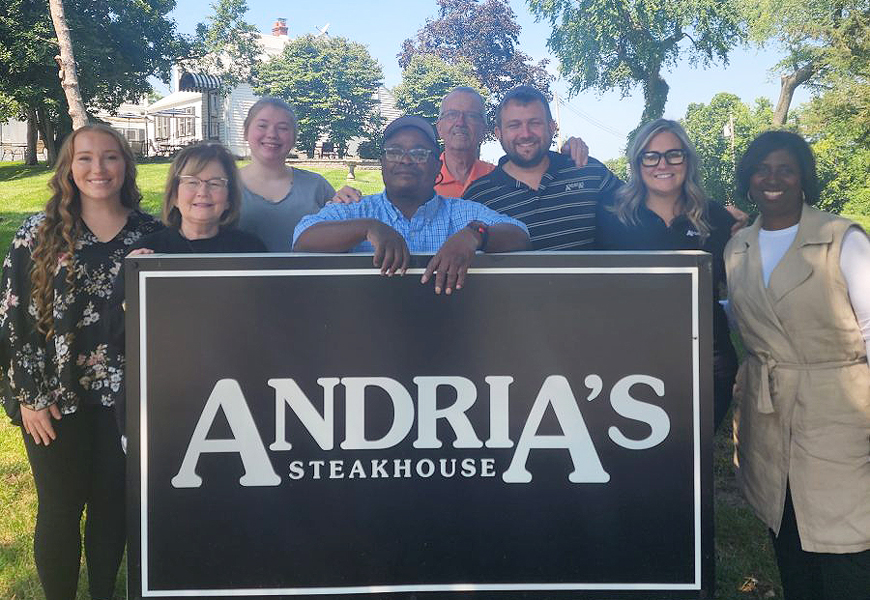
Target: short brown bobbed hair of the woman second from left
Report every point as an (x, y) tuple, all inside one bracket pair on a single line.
[(194, 159)]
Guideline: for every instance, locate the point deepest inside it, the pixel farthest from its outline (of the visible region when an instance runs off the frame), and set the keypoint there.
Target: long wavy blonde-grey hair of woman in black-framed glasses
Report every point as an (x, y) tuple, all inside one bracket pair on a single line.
[(630, 196)]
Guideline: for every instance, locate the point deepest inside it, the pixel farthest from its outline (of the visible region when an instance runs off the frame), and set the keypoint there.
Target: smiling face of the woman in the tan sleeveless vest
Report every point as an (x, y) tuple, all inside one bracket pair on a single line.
[(775, 187)]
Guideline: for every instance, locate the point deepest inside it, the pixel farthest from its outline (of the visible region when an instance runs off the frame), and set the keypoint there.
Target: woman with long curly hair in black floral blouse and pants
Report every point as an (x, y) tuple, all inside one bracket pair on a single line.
[(56, 279)]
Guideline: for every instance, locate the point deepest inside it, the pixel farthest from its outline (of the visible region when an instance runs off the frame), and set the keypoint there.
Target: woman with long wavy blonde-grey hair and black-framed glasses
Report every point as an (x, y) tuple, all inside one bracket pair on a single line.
[(663, 207)]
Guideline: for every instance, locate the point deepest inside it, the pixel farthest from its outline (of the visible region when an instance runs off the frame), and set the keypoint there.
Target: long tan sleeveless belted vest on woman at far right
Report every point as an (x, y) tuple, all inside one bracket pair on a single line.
[(803, 391)]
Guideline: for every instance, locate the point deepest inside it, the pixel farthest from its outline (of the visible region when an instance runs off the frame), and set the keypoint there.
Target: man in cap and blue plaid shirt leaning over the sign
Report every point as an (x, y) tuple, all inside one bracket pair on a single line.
[(408, 216)]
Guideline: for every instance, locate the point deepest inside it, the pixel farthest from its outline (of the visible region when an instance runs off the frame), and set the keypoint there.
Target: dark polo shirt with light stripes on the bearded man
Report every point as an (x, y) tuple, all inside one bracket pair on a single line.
[(561, 213)]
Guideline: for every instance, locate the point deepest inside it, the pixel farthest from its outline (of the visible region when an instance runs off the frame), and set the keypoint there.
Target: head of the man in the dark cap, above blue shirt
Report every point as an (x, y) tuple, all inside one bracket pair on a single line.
[(405, 178)]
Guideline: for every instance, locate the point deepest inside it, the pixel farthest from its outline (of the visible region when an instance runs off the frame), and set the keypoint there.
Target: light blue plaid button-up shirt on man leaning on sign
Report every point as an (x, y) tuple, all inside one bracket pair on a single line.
[(425, 232)]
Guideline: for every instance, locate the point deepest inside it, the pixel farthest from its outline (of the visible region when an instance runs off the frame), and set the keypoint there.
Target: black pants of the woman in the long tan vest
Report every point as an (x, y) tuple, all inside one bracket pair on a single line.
[(816, 575)]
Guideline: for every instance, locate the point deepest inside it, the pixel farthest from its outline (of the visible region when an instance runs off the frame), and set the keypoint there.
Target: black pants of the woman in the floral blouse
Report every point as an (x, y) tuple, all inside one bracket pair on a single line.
[(83, 466)]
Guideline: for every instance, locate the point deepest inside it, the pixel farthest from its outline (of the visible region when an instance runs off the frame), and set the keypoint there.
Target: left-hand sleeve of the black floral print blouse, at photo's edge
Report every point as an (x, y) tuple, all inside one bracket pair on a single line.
[(24, 349)]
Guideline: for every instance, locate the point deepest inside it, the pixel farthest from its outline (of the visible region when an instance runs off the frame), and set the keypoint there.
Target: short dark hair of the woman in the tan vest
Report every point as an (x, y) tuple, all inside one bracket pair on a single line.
[(771, 141)]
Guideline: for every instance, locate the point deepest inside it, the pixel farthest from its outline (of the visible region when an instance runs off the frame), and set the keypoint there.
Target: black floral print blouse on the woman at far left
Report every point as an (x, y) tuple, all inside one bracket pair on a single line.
[(74, 366)]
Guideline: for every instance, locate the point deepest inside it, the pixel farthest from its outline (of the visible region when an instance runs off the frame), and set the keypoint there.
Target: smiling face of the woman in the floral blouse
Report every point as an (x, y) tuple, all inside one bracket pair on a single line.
[(97, 167)]
